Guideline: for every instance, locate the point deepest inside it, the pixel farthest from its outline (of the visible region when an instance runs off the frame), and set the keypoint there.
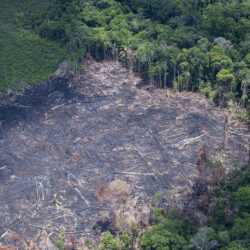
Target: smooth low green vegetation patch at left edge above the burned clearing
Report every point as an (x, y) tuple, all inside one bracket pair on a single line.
[(25, 58)]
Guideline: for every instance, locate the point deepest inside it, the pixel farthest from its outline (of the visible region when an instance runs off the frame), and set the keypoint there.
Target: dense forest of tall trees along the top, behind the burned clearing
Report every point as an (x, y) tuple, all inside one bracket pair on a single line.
[(193, 45)]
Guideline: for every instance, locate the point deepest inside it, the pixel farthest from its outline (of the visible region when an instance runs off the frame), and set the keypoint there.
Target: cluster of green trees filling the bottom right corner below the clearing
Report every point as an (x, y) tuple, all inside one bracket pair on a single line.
[(232, 231)]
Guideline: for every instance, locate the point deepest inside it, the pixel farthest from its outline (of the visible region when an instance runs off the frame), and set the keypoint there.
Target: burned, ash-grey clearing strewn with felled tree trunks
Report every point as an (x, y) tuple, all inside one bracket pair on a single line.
[(88, 153)]
